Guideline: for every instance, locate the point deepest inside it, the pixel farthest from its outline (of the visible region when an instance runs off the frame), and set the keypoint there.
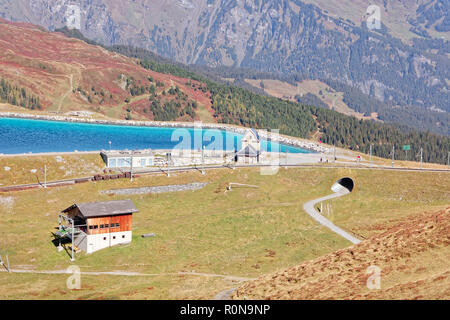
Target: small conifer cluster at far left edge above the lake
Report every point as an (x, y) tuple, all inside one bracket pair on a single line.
[(18, 96)]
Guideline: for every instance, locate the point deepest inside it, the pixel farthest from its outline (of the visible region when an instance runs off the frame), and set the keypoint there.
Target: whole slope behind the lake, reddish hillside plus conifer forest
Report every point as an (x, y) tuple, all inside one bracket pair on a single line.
[(59, 74)]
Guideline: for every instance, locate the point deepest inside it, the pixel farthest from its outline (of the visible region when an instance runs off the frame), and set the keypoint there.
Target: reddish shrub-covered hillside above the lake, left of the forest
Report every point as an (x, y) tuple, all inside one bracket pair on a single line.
[(68, 74)]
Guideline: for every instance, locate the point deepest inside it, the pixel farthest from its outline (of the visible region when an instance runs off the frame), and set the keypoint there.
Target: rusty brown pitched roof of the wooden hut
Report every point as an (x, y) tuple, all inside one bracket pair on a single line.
[(100, 209)]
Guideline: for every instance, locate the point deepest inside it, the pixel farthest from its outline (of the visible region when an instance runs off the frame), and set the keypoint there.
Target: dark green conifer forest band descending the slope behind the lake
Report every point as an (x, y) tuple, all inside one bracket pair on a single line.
[(236, 105)]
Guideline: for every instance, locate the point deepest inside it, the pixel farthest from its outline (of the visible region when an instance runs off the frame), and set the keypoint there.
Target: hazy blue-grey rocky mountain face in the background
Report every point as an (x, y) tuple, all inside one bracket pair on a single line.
[(287, 37)]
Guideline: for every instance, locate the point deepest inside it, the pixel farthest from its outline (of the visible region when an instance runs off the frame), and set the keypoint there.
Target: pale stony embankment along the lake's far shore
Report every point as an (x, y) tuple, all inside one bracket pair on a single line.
[(290, 141)]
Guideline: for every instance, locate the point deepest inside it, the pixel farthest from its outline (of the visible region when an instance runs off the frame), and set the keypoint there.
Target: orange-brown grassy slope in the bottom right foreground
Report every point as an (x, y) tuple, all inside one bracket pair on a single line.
[(412, 257)]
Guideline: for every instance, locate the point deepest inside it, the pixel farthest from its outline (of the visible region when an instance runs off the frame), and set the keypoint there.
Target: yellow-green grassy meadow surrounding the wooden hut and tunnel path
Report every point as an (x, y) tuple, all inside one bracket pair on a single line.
[(243, 233)]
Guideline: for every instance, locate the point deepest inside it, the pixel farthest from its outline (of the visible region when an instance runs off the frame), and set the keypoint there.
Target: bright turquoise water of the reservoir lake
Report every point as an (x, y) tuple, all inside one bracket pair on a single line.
[(38, 136)]
